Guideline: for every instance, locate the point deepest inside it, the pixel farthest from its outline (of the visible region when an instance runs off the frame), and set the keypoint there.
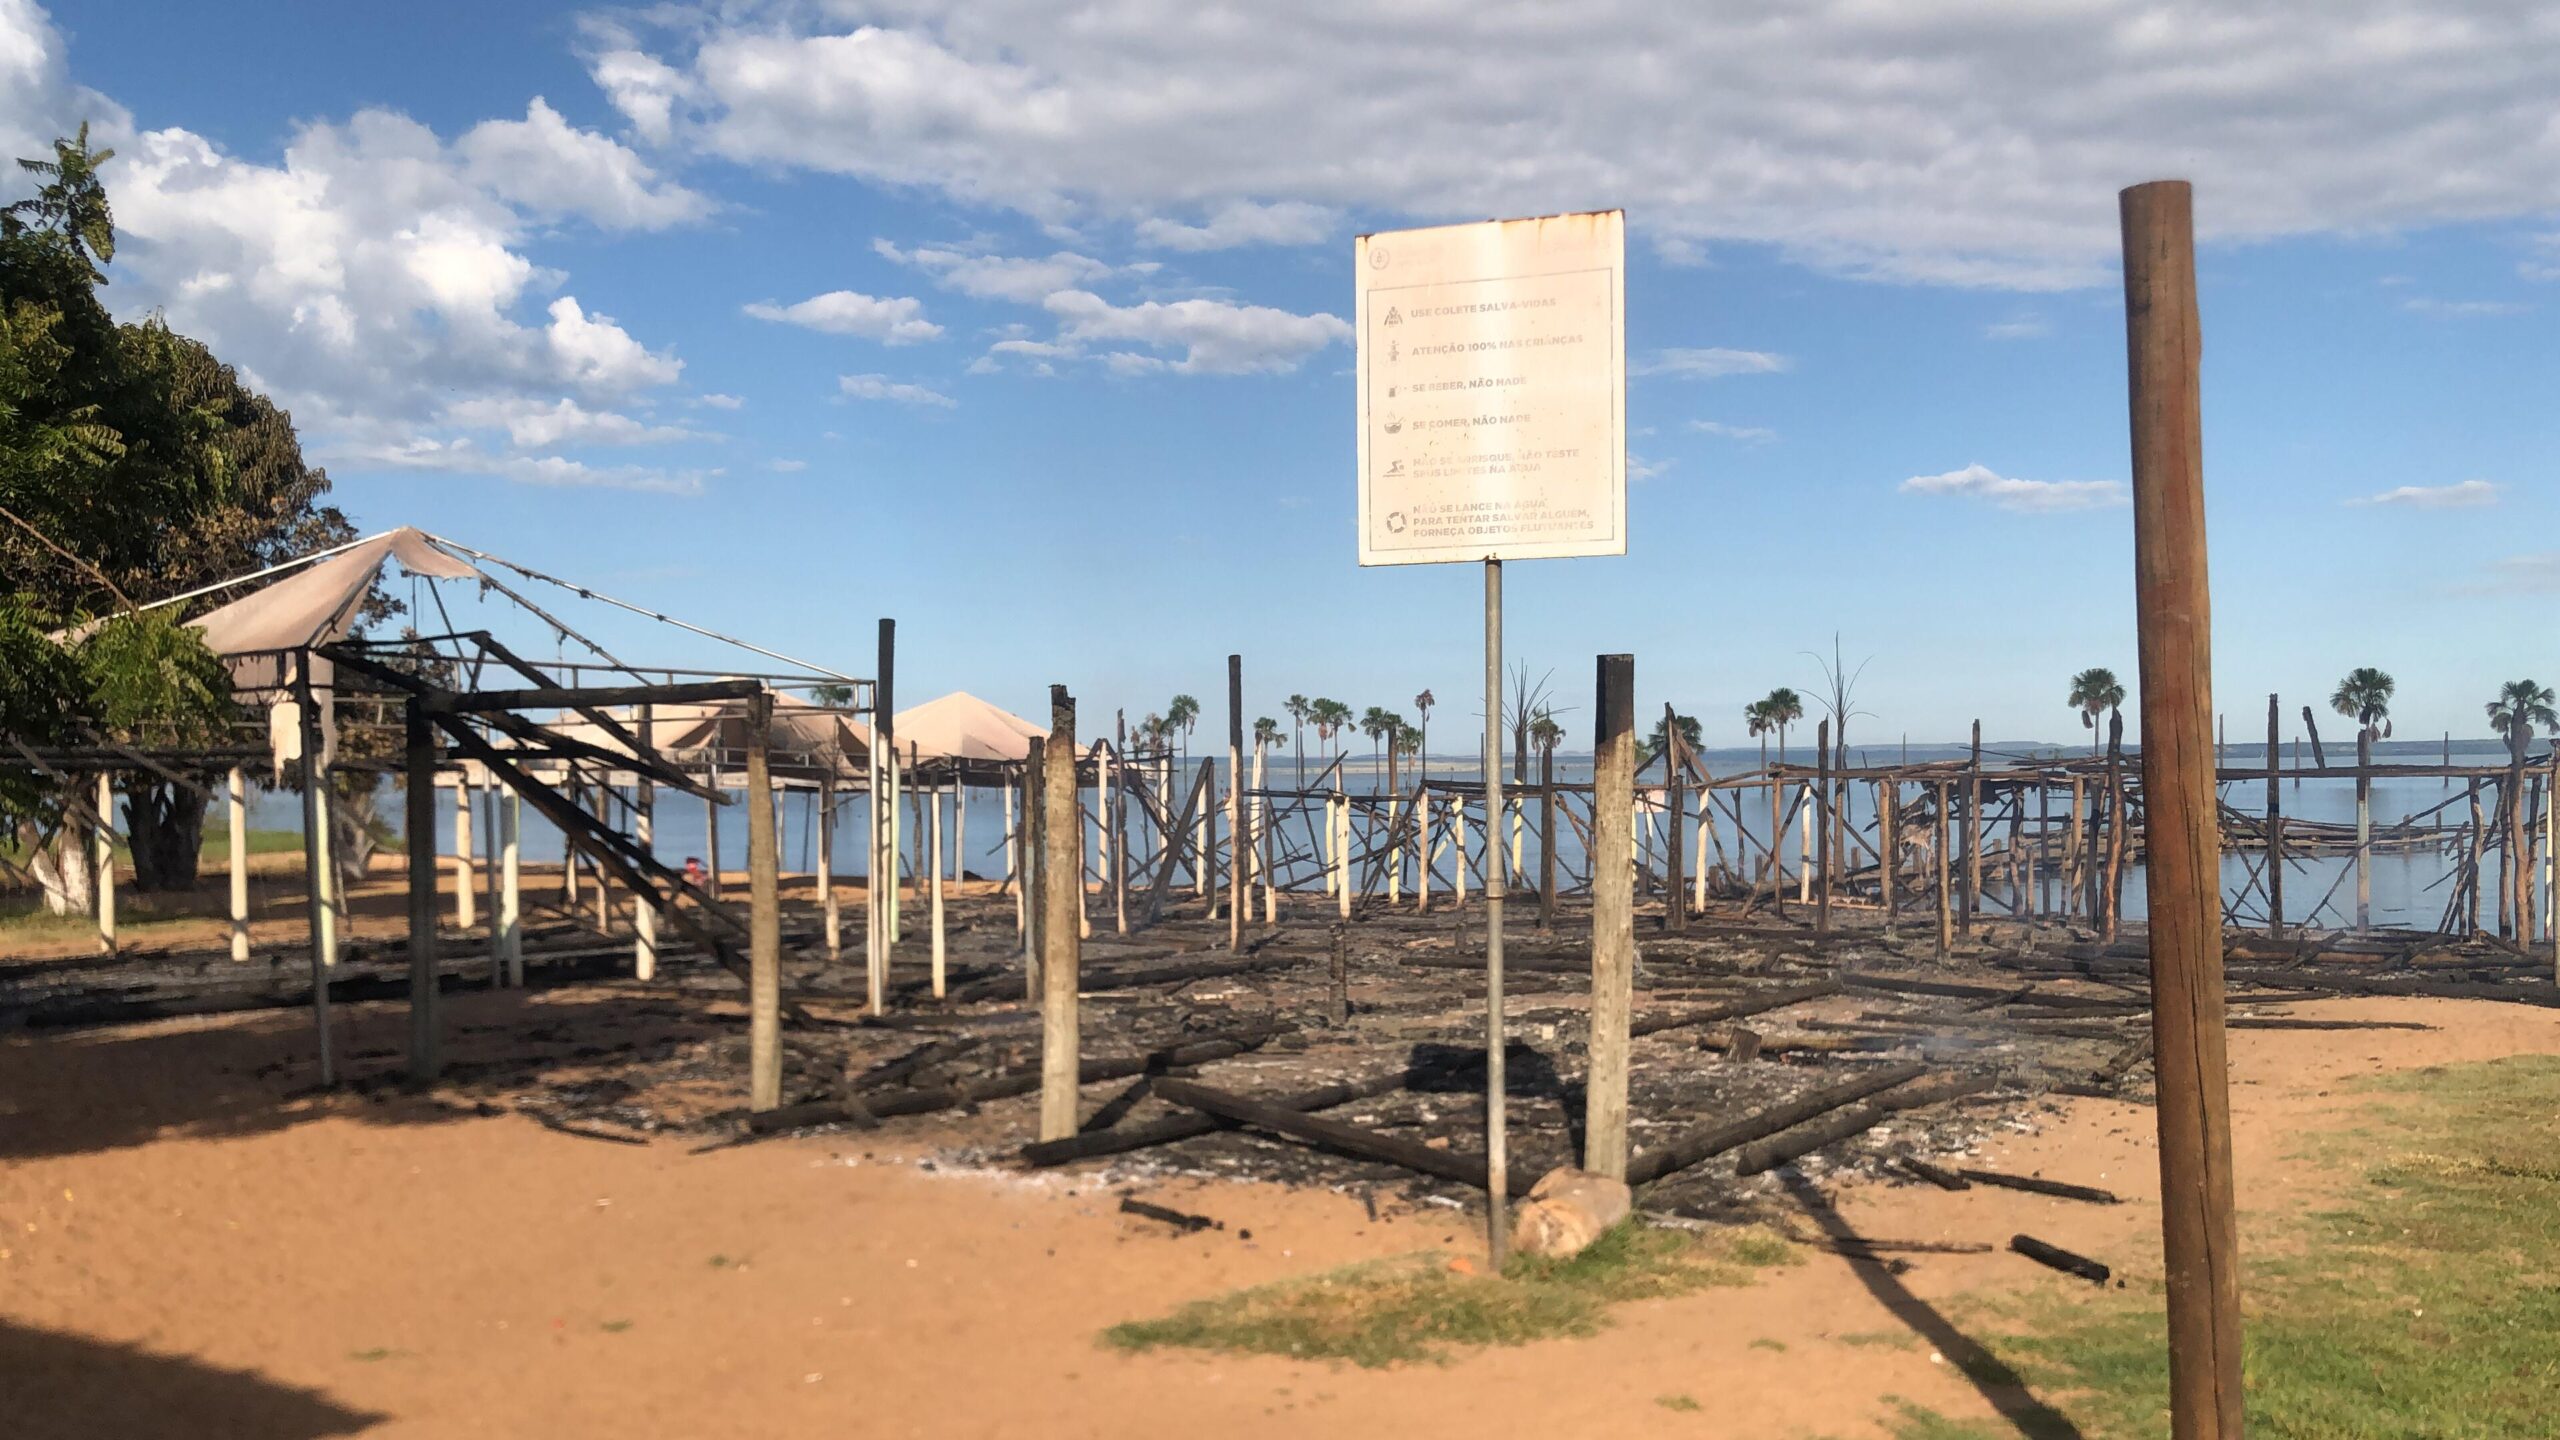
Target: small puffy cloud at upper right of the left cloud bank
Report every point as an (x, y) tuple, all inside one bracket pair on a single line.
[(552, 168)]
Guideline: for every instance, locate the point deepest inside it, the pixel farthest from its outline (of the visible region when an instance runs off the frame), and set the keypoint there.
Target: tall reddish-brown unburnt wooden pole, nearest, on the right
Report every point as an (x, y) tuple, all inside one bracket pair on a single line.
[(2180, 819)]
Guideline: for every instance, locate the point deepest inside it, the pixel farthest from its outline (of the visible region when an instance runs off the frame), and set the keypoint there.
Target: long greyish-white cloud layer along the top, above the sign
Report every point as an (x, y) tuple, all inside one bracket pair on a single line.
[(1906, 142)]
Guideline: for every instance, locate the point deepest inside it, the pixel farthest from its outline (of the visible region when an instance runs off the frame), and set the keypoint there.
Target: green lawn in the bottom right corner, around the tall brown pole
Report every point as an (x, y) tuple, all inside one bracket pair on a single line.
[(2423, 1305)]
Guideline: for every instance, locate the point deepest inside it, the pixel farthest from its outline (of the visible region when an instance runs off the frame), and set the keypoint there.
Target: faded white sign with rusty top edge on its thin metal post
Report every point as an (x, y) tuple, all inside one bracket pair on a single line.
[(1494, 427)]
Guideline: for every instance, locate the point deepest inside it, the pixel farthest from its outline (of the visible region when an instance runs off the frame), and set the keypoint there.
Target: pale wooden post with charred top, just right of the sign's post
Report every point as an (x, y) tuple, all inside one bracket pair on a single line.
[(1614, 916)]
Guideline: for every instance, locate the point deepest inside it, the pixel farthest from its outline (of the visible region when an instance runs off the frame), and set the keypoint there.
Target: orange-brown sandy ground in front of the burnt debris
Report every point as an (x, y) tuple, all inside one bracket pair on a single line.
[(191, 1249)]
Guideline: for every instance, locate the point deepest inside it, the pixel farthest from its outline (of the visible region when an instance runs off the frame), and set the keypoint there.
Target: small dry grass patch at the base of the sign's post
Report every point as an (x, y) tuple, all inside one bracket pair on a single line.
[(1420, 1308)]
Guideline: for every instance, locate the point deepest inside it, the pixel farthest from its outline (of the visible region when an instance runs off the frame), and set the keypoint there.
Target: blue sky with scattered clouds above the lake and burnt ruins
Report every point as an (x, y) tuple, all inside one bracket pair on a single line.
[(1053, 368)]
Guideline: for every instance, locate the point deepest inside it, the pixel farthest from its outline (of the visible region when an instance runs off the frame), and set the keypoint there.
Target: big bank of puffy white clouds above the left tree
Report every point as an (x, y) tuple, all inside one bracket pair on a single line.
[(375, 278)]
